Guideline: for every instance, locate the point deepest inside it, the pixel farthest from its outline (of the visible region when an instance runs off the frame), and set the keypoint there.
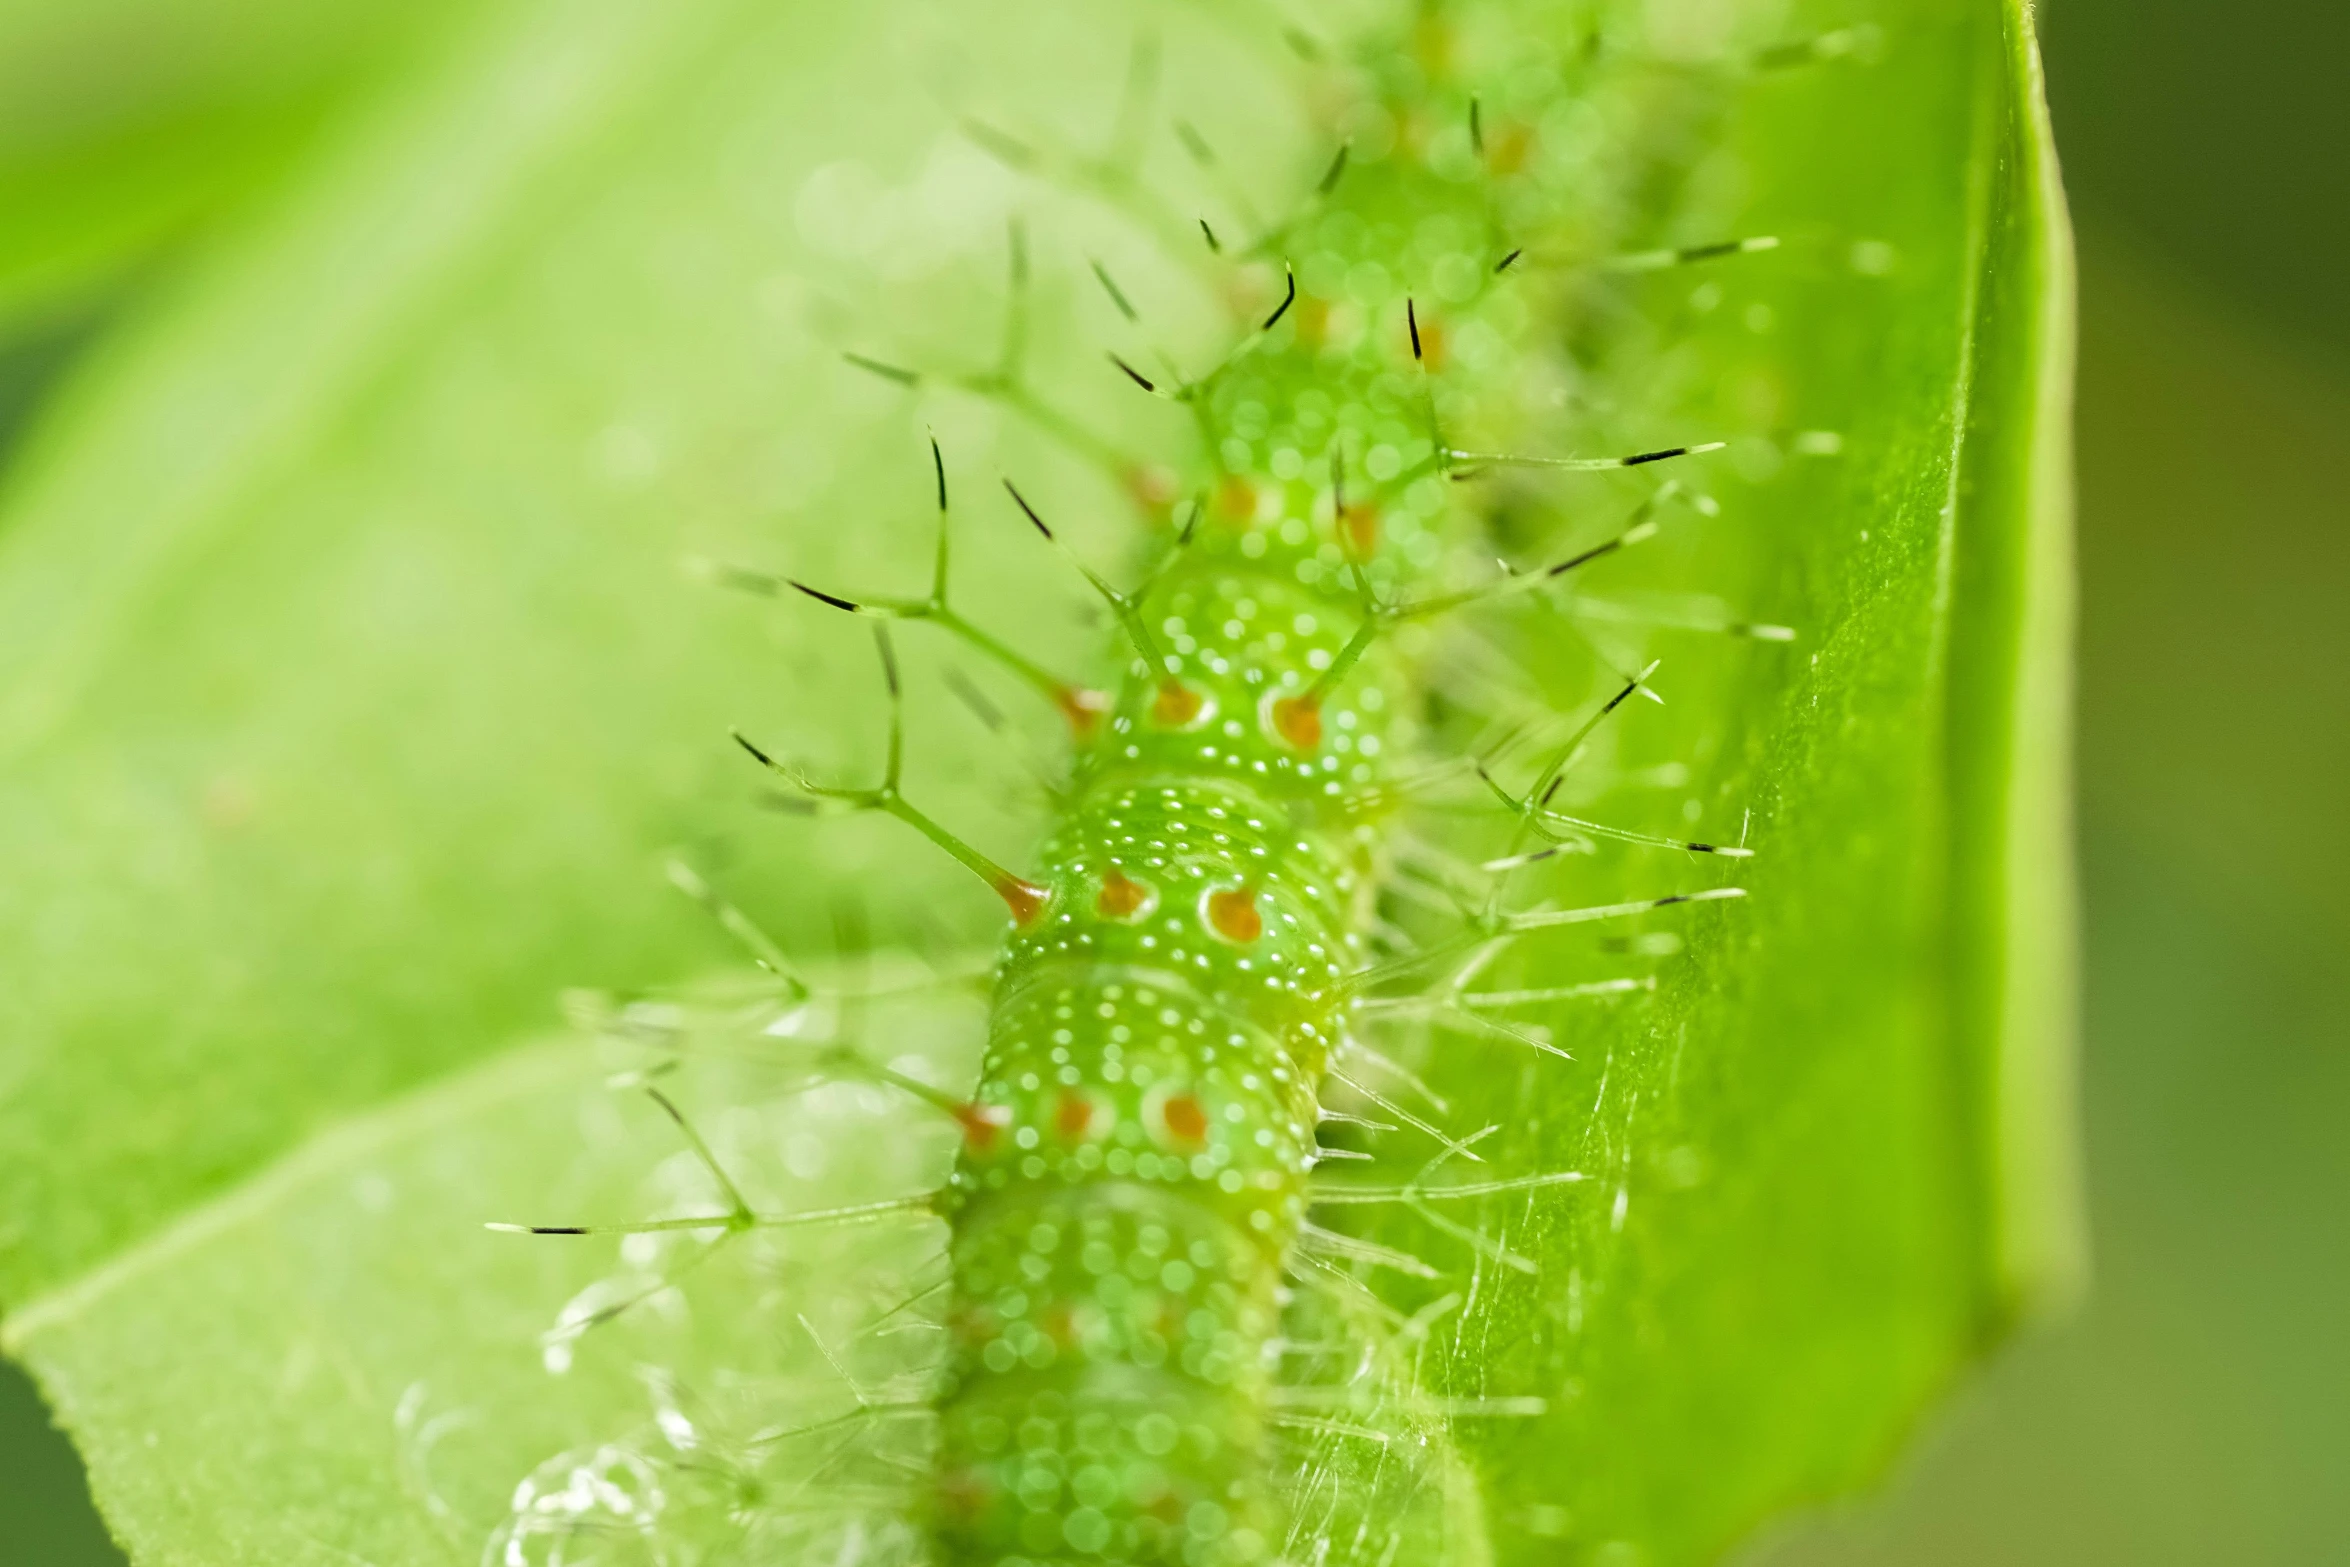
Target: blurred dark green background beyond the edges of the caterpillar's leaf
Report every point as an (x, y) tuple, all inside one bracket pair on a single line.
[(2198, 1408)]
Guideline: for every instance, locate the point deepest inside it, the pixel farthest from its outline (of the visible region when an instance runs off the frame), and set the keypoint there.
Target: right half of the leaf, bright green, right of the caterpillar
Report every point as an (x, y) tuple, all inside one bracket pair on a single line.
[(1834, 1164)]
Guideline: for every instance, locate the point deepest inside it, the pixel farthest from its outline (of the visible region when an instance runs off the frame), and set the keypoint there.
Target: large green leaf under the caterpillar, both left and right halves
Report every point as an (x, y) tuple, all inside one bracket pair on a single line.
[(354, 697)]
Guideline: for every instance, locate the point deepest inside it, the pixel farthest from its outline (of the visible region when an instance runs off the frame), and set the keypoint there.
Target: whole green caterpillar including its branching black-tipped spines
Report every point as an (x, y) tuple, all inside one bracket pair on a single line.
[(1157, 1338)]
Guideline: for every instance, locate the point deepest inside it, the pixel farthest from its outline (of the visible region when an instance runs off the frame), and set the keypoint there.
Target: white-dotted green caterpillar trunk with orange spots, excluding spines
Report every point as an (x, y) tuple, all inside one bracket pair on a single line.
[(1141, 1150)]
